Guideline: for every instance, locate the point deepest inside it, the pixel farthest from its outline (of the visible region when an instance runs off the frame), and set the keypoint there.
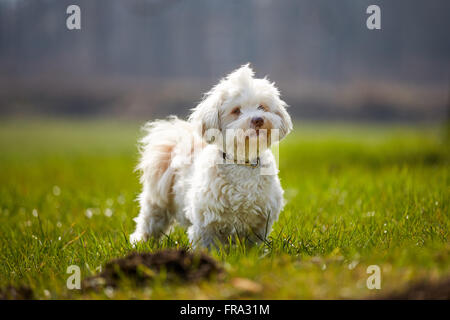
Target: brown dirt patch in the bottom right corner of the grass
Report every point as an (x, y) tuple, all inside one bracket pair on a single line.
[(424, 290)]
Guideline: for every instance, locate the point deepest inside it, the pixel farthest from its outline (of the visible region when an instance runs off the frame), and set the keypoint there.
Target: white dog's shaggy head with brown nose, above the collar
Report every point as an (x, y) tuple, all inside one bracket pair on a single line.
[(247, 107)]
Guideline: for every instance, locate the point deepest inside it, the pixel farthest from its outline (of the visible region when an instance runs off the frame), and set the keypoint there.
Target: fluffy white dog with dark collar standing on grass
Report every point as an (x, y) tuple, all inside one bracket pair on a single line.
[(193, 175)]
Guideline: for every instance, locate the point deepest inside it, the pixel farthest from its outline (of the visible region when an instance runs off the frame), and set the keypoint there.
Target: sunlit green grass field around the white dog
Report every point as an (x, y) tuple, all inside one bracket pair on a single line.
[(357, 195)]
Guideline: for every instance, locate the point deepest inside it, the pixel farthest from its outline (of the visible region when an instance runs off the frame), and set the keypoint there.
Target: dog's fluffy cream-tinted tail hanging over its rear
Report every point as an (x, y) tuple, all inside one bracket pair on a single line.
[(162, 142)]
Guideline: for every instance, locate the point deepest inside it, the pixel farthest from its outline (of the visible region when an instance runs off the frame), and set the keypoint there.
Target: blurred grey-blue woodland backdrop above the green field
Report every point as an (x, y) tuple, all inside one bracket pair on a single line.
[(151, 58)]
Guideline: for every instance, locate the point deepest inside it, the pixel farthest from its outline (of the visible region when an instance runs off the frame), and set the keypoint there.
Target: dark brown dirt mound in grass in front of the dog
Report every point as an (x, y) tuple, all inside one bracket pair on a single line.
[(142, 267)]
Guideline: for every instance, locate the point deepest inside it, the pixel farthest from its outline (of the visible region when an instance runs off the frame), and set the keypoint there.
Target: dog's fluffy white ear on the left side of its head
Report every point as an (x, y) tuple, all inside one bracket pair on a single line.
[(207, 111)]
